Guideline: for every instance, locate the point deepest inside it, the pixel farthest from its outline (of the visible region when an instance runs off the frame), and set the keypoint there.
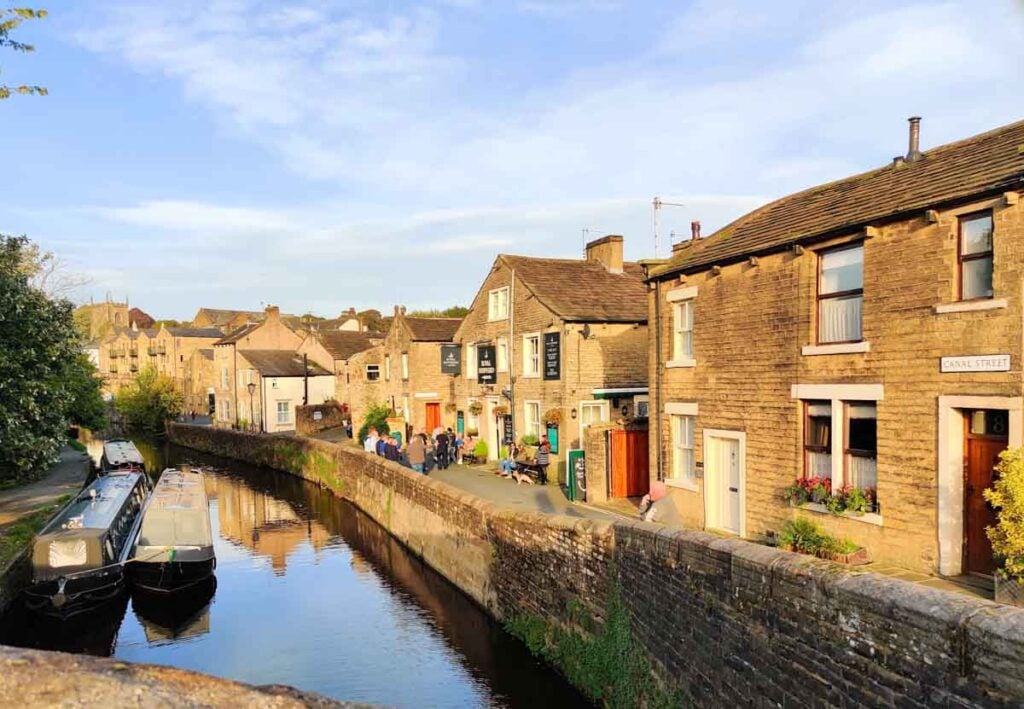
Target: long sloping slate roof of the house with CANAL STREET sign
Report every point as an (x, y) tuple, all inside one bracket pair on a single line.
[(987, 163)]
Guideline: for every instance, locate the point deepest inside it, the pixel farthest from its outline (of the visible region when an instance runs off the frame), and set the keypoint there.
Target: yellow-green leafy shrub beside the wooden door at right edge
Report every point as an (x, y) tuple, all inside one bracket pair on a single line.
[(1007, 496)]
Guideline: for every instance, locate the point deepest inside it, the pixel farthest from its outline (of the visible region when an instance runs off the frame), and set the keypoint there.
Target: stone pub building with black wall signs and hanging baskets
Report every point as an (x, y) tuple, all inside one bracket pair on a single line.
[(566, 339)]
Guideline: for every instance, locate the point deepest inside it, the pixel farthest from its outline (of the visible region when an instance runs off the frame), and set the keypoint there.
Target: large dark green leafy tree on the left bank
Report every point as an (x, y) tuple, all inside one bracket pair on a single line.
[(40, 367)]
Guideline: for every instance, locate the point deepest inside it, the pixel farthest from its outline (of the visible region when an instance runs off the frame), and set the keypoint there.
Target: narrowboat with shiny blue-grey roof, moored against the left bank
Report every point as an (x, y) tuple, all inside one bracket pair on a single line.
[(78, 559)]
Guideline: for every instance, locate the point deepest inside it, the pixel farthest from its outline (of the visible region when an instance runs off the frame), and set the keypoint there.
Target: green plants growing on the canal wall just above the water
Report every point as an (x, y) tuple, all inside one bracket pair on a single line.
[(605, 663)]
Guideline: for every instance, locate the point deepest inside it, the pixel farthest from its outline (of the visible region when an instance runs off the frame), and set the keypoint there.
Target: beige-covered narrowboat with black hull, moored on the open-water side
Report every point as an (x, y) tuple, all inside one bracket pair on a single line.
[(175, 550)]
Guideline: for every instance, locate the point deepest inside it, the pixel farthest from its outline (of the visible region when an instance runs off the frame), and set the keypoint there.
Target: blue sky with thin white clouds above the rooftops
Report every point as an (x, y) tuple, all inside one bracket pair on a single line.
[(323, 155)]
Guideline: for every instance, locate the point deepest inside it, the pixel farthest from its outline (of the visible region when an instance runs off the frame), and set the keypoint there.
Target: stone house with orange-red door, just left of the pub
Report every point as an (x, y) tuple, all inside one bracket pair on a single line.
[(405, 372)]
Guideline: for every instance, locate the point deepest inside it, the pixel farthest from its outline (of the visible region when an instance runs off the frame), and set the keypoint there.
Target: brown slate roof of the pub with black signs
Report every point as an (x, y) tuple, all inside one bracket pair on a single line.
[(582, 291)]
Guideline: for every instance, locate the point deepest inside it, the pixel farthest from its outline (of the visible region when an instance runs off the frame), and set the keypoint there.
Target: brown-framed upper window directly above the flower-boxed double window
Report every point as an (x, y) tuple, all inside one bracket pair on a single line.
[(841, 295)]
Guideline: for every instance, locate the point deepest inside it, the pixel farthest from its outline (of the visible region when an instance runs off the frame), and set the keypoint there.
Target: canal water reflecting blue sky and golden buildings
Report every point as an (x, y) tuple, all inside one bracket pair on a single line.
[(311, 593)]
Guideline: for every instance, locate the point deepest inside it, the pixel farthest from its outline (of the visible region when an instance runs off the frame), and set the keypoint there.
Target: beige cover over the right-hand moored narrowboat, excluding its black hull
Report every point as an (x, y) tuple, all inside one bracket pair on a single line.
[(178, 514)]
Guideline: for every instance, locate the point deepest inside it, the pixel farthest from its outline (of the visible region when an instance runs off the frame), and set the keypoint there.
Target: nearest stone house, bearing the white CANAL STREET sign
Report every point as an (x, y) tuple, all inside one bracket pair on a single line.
[(868, 331)]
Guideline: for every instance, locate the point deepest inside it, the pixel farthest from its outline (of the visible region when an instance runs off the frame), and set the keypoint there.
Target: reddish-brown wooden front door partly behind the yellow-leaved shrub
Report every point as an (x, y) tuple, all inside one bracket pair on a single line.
[(983, 456)]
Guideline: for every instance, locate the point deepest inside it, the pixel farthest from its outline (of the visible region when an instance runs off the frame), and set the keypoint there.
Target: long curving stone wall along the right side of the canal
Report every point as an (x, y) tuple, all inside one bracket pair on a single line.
[(717, 621)]
